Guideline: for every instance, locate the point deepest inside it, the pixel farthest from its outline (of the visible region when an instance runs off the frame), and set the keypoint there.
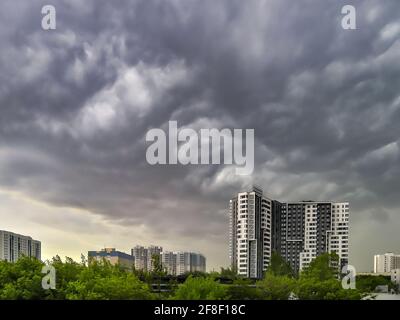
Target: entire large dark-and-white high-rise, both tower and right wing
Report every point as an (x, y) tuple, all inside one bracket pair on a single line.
[(298, 231)]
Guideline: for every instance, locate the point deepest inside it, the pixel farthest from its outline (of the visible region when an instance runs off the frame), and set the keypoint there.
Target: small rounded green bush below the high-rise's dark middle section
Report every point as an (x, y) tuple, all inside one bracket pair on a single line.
[(274, 287)]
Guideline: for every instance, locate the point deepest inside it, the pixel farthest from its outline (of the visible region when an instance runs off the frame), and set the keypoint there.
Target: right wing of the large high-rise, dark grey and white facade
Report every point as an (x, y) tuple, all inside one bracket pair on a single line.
[(311, 228)]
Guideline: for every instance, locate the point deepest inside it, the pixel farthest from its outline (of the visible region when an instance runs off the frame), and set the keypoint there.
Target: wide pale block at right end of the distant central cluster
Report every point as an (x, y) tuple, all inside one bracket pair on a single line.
[(178, 263)]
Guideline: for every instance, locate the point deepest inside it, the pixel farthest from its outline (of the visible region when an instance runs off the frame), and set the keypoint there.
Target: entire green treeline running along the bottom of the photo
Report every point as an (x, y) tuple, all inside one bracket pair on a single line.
[(101, 280)]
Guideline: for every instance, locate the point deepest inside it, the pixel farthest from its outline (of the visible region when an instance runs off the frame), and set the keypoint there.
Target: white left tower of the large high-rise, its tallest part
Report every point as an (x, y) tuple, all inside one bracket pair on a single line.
[(250, 233)]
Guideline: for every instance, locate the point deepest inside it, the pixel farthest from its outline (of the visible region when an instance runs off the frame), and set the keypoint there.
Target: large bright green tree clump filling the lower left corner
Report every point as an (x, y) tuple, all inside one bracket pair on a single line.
[(23, 280)]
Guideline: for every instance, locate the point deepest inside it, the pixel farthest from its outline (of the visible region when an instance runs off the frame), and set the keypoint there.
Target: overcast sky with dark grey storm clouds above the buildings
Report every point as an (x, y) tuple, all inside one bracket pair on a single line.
[(76, 103)]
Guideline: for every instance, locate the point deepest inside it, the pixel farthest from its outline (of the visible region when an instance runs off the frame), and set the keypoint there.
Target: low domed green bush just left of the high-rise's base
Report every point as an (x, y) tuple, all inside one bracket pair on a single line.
[(200, 289)]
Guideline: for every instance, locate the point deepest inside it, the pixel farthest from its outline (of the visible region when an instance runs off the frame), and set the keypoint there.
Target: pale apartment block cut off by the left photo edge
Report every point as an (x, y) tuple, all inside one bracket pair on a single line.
[(13, 246)]
